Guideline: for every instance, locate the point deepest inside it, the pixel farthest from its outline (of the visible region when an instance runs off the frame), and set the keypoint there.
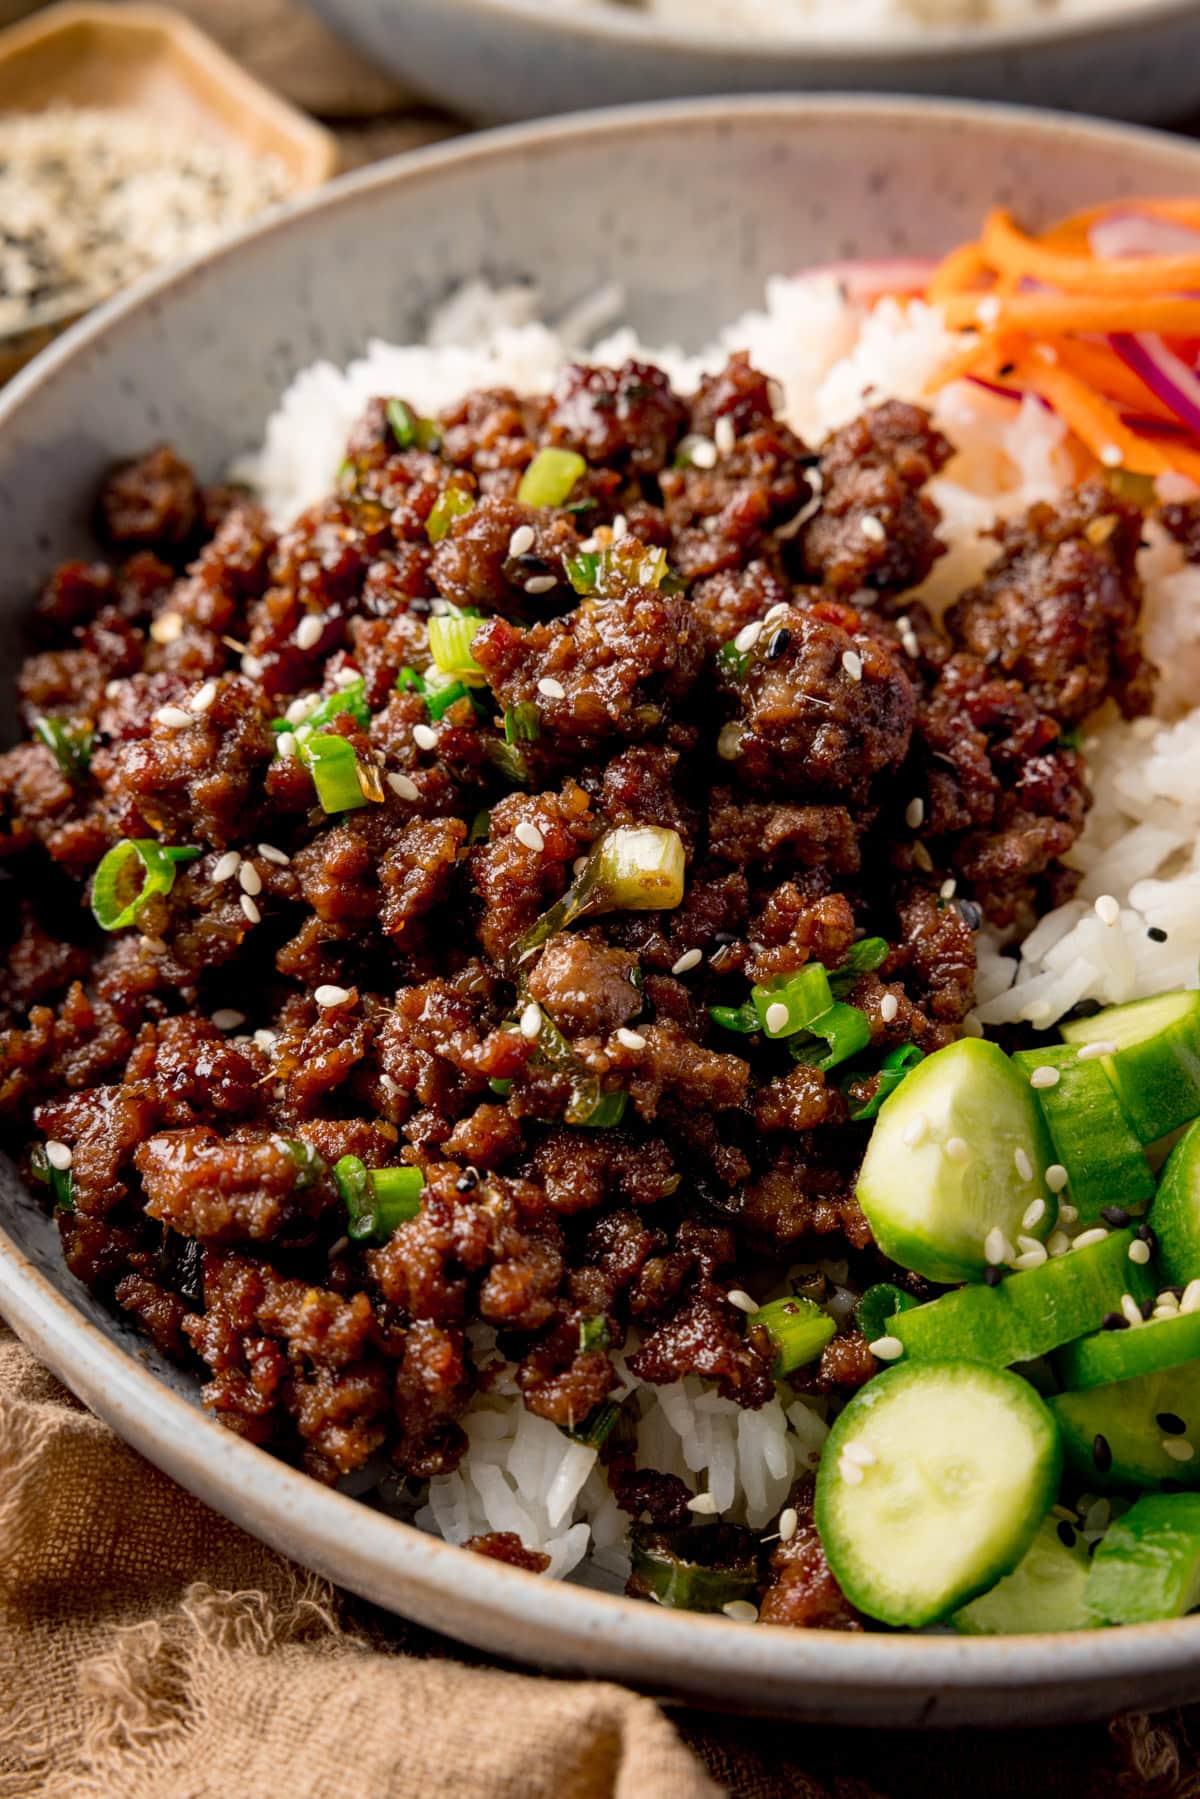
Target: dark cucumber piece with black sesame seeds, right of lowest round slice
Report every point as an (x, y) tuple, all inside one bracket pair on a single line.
[(1113, 1437)]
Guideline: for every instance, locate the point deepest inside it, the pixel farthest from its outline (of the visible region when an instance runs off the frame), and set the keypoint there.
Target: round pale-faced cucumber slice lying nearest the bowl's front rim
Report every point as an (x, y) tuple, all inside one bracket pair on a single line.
[(933, 1485)]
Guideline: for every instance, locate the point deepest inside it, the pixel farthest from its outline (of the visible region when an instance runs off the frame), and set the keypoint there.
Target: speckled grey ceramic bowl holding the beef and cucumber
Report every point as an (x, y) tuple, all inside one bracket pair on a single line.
[(690, 208)]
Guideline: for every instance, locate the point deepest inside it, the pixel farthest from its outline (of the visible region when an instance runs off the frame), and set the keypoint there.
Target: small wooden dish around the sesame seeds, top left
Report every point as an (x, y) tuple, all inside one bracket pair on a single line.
[(156, 62)]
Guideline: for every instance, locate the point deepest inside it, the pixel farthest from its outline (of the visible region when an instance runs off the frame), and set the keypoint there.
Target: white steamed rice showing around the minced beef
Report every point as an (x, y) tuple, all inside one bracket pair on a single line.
[(1142, 845)]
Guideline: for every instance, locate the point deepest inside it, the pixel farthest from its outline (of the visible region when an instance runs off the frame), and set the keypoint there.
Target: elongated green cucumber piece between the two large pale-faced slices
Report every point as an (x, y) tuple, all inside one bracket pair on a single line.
[(1028, 1314)]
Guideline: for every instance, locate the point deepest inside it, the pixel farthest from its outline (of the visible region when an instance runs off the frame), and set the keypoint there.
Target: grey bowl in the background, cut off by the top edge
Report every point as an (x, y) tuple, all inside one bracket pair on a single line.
[(501, 60)]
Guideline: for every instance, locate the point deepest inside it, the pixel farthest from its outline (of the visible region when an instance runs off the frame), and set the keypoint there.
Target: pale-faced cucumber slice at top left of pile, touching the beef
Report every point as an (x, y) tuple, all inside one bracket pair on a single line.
[(945, 1163)]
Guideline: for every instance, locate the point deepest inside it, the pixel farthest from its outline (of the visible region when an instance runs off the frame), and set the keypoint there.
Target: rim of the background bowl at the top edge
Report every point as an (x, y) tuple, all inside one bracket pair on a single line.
[(625, 28)]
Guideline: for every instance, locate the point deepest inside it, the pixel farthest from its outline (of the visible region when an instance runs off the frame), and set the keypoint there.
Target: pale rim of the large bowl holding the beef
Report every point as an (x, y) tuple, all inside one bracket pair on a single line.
[(354, 1539)]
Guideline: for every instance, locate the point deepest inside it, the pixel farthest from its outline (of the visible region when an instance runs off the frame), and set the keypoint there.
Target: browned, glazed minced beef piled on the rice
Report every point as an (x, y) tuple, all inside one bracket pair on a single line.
[(323, 985)]
